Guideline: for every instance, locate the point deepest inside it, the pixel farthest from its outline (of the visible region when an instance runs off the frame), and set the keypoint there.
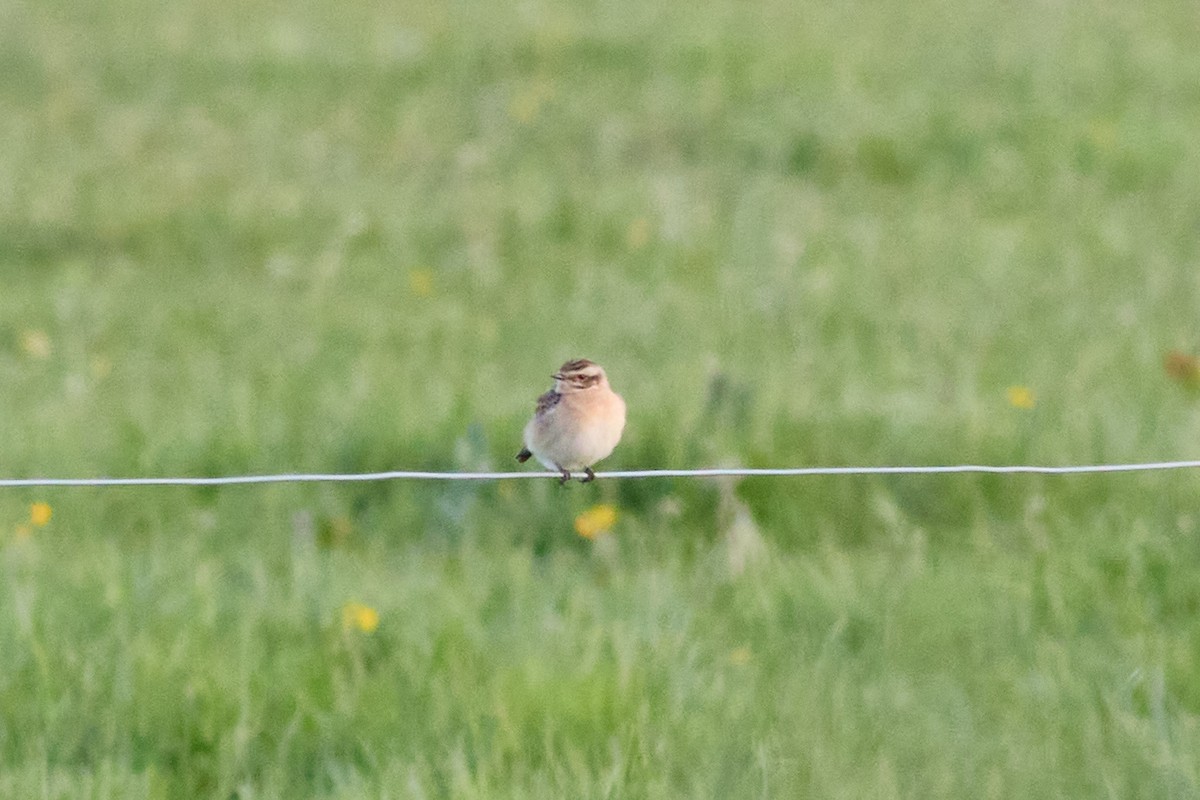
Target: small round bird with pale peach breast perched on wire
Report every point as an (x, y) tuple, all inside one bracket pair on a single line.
[(578, 423)]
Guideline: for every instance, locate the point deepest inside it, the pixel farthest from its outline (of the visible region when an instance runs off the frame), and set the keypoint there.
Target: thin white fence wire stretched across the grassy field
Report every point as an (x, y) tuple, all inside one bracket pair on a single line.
[(411, 476)]
